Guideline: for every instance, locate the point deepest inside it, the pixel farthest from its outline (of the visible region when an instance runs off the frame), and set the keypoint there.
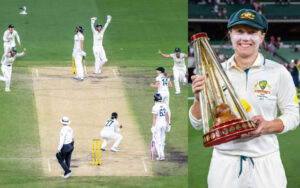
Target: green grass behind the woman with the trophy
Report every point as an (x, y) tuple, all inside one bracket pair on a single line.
[(199, 156)]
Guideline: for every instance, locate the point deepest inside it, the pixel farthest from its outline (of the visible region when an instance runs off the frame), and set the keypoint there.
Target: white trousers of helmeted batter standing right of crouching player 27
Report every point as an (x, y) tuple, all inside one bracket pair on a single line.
[(160, 138)]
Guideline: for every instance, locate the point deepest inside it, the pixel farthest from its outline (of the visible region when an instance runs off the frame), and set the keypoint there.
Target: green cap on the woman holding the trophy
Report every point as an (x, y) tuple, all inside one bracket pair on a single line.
[(248, 17)]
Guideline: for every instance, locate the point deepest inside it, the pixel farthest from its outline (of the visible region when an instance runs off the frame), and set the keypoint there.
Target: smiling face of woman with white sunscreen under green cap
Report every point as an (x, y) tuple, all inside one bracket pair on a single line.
[(246, 40)]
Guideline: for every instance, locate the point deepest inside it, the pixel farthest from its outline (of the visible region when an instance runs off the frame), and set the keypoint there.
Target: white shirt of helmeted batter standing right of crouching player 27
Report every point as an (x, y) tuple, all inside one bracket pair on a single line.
[(160, 109)]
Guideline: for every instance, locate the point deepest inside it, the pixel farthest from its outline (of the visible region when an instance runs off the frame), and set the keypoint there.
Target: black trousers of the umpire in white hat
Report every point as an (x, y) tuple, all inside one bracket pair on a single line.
[(66, 153)]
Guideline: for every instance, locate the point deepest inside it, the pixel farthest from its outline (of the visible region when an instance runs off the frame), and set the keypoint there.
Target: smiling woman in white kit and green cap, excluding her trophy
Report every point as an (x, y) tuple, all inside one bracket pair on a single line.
[(267, 88)]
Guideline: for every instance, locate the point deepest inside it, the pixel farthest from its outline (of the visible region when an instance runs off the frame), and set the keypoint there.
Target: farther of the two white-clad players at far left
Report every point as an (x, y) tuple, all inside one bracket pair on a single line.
[(9, 38)]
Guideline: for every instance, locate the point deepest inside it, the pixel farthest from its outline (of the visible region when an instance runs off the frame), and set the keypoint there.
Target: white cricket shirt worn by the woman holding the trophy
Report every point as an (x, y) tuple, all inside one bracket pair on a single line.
[(268, 88)]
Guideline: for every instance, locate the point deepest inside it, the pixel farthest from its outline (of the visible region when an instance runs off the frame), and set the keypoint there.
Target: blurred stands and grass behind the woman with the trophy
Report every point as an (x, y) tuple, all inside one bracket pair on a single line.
[(281, 44)]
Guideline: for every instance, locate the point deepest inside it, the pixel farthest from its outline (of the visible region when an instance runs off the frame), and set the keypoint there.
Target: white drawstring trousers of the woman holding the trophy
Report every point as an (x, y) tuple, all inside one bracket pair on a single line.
[(257, 172)]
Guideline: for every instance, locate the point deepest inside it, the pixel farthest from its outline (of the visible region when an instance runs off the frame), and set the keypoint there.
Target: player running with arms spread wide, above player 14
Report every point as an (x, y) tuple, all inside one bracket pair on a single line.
[(179, 68)]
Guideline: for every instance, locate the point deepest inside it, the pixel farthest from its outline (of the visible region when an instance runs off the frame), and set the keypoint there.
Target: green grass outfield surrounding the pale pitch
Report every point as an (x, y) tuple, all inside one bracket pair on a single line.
[(138, 29)]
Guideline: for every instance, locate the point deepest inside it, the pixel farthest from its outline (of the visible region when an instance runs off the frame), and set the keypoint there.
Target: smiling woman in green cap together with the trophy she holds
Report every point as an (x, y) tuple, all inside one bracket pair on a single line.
[(252, 91)]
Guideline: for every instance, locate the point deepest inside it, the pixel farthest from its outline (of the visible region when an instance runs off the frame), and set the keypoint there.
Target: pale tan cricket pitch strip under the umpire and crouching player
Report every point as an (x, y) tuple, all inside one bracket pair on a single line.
[(88, 104)]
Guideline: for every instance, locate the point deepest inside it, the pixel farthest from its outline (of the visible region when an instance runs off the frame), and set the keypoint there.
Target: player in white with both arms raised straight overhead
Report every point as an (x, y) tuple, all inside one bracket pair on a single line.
[(99, 53)]
